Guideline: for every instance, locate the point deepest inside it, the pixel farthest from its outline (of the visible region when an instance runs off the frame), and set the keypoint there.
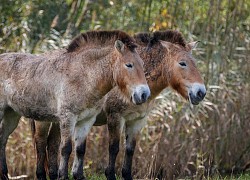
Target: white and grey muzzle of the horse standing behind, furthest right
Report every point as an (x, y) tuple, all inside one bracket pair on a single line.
[(196, 93)]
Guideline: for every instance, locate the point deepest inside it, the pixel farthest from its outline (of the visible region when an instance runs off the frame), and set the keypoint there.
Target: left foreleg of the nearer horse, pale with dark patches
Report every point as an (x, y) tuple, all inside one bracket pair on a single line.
[(67, 124)]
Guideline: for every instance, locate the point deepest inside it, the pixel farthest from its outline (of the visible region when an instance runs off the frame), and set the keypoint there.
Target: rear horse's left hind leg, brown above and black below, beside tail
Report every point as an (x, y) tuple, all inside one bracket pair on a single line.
[(40, 140)]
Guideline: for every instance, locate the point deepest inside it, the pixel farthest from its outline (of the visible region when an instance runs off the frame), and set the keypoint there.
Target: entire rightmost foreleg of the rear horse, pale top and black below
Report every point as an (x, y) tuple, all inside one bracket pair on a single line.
[(132, 130)]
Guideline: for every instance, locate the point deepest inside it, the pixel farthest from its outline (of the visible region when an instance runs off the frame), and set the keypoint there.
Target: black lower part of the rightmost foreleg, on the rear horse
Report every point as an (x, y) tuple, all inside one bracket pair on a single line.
[(127, 165)]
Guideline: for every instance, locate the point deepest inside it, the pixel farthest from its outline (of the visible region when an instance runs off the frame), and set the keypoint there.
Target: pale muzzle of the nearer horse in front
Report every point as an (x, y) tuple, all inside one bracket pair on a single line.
[(140, 94)]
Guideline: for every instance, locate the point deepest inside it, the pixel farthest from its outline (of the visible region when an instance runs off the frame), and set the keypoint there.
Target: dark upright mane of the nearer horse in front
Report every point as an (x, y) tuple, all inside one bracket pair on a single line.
[(101, 38)]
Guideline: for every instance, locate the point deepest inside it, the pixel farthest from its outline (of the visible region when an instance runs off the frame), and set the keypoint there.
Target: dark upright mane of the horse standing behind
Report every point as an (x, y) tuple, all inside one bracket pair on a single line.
[(152, 38)]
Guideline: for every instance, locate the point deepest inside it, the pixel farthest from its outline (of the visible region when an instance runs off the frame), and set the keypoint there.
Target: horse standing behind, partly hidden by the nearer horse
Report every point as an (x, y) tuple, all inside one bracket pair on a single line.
[(168, 62)]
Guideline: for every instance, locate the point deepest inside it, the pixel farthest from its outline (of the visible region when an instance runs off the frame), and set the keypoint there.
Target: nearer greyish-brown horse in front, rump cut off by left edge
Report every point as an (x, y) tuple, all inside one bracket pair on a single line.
[(65, 86)]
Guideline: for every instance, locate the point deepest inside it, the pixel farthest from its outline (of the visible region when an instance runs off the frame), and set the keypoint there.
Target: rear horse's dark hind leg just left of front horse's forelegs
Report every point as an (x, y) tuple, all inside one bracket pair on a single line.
[(53, 149)]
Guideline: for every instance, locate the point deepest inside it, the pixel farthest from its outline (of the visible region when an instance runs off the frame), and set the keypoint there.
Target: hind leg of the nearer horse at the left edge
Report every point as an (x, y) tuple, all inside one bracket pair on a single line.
[(8, 123)]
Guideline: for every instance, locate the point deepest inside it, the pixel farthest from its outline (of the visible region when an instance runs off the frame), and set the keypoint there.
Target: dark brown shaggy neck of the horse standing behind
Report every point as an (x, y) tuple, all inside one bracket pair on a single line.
[(154, 63)]
